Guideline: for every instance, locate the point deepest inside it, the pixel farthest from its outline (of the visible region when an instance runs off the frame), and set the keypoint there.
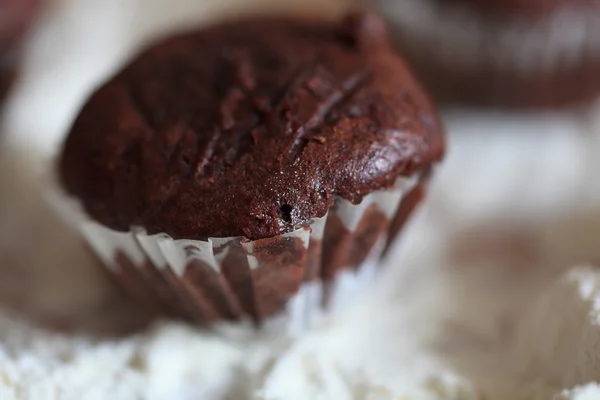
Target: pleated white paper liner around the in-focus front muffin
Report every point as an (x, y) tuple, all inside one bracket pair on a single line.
[(287, 280)]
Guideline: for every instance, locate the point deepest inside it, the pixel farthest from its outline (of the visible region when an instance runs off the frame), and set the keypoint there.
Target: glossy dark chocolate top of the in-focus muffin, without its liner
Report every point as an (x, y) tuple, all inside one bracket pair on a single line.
[(250, 128)]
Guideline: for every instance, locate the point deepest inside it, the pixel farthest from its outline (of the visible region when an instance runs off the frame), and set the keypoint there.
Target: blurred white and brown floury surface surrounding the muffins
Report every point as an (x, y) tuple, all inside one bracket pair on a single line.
[(487, 295)]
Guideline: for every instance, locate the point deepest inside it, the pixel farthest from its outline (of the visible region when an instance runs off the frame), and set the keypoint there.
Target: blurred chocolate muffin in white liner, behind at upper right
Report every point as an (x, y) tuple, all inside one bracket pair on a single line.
[(501, 53)]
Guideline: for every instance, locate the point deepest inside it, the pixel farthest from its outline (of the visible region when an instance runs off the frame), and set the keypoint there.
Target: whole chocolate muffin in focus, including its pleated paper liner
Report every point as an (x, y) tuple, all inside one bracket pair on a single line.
[(238, 171)]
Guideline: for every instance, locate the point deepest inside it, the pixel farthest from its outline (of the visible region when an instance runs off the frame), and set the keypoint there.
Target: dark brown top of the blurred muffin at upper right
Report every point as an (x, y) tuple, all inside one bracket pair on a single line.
[(527, 7)]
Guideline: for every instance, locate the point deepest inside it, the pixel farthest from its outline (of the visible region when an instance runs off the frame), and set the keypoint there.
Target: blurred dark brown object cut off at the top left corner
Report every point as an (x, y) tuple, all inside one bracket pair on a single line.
[(15, 18)]
